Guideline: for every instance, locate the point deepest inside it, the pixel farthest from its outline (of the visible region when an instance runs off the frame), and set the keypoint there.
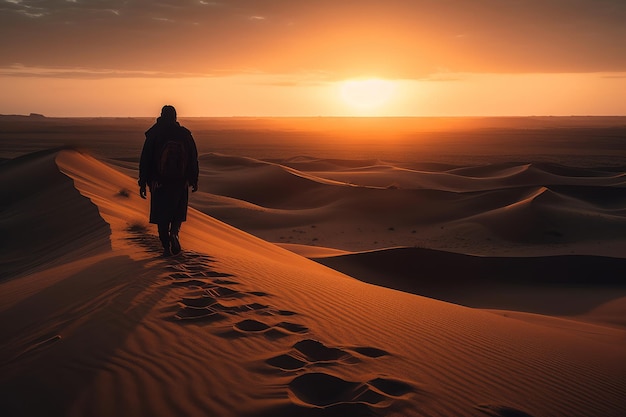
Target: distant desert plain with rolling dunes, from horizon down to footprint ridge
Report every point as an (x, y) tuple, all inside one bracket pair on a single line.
[(362, 189)]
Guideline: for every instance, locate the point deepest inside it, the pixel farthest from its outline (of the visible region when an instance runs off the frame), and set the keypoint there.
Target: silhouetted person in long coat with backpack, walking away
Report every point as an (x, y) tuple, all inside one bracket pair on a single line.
[(168, 166)]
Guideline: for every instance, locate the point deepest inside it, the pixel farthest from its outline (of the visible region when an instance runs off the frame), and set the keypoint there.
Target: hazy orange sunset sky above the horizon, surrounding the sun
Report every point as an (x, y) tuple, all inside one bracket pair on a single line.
[(286, 57)]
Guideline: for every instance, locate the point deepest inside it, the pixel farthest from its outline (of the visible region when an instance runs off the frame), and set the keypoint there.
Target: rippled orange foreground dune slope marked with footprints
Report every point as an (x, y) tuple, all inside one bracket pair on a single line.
[(239, 327)]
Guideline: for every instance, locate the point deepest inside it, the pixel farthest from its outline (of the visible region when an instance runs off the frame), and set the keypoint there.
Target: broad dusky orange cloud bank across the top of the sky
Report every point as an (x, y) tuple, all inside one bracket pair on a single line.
[(396, 38)]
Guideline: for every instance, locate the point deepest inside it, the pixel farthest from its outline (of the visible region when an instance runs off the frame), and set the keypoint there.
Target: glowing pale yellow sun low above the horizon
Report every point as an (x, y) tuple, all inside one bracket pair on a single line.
[(366, 94)]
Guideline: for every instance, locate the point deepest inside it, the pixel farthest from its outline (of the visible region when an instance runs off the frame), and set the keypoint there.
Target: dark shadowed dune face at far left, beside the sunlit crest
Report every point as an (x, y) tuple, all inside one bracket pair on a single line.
[(36, 232)]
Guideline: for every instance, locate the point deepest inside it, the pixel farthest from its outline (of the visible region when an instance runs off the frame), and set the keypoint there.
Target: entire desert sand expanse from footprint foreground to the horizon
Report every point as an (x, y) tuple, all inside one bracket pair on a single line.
[(315, 285)]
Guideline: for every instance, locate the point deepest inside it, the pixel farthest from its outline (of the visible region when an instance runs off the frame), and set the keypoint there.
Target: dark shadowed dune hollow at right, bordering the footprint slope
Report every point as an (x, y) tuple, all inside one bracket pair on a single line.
[(573, 285)]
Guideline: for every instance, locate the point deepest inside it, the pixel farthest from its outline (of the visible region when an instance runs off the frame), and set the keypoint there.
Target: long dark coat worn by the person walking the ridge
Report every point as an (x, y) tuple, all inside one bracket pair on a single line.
[(169, 198)]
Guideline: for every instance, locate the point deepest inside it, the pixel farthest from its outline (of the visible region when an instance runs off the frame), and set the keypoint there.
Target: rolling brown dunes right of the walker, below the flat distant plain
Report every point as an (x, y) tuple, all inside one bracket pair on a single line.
[(501, 209)]
